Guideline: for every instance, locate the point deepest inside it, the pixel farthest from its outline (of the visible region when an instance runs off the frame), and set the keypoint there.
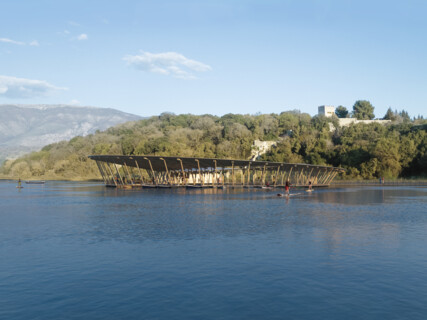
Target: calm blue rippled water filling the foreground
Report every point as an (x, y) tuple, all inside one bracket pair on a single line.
[(81, 251)]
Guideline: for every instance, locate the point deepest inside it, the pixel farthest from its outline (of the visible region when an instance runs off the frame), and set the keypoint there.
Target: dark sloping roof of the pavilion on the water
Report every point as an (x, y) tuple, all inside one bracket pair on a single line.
[(160, 164)]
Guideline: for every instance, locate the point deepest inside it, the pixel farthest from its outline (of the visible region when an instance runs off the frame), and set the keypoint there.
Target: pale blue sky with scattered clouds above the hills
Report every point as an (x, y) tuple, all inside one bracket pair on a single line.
[(215, 57)]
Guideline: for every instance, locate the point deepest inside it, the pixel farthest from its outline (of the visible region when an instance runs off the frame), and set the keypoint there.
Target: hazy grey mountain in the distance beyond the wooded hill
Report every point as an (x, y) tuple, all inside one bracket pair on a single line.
[(25, 128)]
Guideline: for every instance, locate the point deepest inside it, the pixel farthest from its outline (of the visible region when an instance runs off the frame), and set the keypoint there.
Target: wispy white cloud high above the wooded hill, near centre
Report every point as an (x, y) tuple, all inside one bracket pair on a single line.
[(167, 63)]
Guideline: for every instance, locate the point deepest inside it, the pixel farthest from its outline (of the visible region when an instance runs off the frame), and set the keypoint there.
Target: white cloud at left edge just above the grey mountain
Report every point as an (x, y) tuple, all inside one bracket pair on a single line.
[(15, 88)]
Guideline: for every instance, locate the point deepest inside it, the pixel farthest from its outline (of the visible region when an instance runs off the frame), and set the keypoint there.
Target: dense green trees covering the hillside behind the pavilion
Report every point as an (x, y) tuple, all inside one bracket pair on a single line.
[(366, 151)]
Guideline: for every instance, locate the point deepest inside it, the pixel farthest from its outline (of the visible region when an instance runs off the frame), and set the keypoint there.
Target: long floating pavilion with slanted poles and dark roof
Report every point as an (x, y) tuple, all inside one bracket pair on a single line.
[(158, 171)]
